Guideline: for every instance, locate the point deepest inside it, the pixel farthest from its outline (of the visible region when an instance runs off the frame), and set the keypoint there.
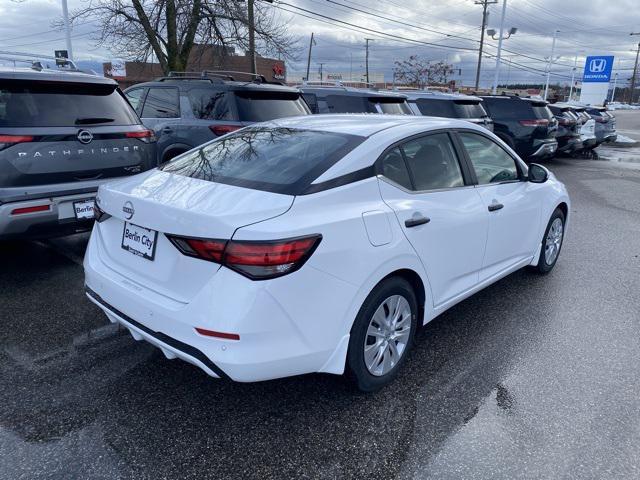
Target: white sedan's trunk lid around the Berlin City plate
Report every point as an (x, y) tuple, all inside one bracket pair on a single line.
[(175, 204)]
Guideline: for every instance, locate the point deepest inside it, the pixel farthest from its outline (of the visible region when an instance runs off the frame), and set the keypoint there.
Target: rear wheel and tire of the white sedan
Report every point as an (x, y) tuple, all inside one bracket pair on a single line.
[(388, 348)]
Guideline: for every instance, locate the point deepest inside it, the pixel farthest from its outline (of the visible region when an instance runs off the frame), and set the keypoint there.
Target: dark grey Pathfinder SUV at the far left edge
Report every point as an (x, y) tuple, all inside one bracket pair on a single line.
[(62, 134)]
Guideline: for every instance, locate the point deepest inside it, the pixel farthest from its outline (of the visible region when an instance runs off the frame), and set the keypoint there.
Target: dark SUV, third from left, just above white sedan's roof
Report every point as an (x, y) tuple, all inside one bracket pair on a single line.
[(338, 99)]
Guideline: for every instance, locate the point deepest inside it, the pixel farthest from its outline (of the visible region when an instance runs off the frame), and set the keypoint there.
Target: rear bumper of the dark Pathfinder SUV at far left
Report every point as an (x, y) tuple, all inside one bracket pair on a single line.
[(58, 219)]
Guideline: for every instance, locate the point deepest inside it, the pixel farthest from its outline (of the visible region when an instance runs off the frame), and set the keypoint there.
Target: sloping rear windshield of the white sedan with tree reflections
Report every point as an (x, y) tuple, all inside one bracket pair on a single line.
[(279, 160)]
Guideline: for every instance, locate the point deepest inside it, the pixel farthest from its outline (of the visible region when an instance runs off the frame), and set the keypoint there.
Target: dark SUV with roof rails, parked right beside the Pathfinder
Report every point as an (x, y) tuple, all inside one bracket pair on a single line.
[(188, 109)]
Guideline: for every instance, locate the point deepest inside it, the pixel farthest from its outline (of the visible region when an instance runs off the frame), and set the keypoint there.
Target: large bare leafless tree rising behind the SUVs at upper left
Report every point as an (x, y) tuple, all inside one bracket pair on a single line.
[(169, 29)]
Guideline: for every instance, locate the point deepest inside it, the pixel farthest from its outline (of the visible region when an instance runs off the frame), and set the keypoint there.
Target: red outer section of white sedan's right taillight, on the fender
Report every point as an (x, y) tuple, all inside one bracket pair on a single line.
[(268, 254)]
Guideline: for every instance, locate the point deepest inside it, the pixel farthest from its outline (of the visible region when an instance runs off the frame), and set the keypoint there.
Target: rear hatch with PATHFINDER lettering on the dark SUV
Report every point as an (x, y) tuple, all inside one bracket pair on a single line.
[(58, 132)]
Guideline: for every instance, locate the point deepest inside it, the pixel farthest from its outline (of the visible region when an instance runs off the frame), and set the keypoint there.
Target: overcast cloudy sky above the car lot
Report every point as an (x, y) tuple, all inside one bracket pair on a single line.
[(586, 27)]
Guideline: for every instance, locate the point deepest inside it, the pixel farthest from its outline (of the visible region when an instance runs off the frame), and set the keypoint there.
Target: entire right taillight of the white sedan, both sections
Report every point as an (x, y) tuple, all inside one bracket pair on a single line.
[(257, 260)]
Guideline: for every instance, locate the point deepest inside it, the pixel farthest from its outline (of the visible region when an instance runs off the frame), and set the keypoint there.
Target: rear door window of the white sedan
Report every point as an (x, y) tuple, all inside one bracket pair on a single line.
[(433, 162)]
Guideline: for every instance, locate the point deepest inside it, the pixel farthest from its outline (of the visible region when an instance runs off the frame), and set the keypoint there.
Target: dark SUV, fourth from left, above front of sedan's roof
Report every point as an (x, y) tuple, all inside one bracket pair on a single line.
[(450, 105)]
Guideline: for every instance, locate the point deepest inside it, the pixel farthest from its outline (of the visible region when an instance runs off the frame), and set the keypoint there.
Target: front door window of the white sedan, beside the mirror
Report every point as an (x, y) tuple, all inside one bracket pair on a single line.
[(491, 163)]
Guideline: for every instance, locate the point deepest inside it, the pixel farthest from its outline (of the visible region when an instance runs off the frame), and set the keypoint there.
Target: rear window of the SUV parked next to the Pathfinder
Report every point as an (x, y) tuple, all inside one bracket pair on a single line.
[(262, 106)]
